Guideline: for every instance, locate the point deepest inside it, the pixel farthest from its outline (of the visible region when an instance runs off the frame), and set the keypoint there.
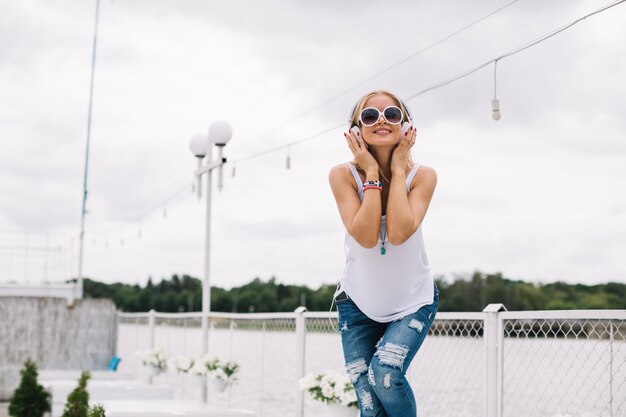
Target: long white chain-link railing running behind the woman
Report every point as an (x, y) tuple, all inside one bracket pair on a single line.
[(489, 364)]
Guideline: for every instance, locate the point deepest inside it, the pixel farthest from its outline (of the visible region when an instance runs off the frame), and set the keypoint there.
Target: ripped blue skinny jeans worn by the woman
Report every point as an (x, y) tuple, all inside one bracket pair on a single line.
[(377, 356)]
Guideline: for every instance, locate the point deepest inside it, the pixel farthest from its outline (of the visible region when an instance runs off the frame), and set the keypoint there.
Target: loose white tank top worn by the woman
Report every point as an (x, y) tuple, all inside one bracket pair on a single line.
[(391, 286)]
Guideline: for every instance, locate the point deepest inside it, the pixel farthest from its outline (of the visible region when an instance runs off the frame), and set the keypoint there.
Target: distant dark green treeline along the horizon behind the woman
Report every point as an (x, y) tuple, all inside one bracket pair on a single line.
[(184, 293)]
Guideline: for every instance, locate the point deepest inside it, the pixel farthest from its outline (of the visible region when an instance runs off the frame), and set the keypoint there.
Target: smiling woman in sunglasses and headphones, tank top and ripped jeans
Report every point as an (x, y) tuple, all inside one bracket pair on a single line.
[(387, 299)]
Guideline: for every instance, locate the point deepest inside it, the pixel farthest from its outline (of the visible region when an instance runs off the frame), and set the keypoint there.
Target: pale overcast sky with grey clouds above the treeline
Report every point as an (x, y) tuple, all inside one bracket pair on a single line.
[(538, 195)]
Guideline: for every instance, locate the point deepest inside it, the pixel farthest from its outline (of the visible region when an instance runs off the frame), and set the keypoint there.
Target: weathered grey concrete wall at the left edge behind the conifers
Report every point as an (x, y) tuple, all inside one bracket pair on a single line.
[(54, 335)]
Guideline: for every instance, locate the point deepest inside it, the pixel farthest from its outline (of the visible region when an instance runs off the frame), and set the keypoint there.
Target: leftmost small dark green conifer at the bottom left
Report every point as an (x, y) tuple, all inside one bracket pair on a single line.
[(30, 399)]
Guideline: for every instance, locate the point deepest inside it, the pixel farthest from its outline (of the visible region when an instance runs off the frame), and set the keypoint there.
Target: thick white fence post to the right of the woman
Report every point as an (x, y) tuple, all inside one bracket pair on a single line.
[(493, 356)]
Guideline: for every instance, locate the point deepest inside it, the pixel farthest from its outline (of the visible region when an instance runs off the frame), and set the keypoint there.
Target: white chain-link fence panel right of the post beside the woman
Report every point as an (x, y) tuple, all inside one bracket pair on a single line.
[(564, 364)]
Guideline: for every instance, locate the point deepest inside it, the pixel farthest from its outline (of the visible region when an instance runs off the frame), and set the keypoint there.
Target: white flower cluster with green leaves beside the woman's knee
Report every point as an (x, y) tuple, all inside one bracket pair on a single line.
[(330, 387)]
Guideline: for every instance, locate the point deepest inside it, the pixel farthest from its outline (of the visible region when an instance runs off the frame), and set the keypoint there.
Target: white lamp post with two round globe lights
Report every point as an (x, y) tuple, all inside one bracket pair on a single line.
[(201, 145)]
